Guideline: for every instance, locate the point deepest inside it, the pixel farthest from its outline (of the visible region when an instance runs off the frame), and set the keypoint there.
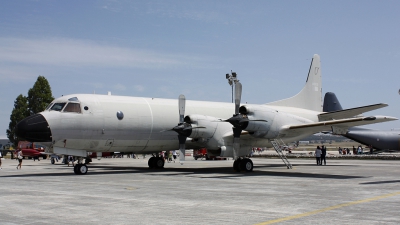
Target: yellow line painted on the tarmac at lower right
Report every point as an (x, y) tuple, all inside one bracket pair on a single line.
[(329, 208)]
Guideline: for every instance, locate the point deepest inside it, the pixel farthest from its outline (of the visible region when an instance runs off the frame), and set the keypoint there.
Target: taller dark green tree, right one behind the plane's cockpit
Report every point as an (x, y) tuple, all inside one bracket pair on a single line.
[(39, 96)]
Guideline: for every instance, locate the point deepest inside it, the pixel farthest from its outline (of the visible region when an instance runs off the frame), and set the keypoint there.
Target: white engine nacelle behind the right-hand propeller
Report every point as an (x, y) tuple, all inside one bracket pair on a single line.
[(260, 118)]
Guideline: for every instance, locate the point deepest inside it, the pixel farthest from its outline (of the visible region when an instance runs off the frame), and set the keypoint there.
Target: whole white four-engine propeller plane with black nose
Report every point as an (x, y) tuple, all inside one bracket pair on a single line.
[(80, 123)]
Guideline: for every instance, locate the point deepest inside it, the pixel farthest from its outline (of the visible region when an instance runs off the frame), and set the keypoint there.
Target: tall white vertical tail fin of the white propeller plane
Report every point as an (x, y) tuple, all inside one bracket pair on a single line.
[(310, 97)]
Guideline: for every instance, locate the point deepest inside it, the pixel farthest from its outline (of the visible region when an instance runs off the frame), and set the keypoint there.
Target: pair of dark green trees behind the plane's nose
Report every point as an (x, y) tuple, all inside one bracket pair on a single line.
[(39, 96)]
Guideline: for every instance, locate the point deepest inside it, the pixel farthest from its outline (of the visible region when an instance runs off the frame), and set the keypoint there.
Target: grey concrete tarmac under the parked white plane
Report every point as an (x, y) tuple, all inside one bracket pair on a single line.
[(126, 191)]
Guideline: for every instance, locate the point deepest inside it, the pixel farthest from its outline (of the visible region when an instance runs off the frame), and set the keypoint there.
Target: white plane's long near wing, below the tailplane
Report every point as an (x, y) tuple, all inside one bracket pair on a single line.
[(342, 124)]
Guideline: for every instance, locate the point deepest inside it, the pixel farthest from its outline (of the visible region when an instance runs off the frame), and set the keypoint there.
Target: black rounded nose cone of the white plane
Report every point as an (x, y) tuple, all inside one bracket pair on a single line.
[(34, 129)]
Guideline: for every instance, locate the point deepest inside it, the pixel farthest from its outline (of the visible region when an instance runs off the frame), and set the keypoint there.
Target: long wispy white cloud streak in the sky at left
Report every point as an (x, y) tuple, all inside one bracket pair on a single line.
[(72, 52)]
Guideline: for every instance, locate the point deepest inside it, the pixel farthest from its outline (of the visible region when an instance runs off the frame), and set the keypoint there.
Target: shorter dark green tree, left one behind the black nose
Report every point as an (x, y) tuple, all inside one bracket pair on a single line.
[(19, 112)]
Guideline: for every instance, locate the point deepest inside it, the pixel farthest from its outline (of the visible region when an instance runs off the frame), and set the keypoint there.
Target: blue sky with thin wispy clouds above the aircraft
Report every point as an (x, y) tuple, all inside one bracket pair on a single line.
[(166, 48)]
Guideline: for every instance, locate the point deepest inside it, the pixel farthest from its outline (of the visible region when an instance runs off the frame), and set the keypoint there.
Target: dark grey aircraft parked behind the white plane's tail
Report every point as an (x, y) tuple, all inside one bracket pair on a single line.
[(378, 139)]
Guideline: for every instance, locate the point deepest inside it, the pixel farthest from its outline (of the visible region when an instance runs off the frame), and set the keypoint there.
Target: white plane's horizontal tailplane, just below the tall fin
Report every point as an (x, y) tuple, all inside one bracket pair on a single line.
[(347, 113)]
